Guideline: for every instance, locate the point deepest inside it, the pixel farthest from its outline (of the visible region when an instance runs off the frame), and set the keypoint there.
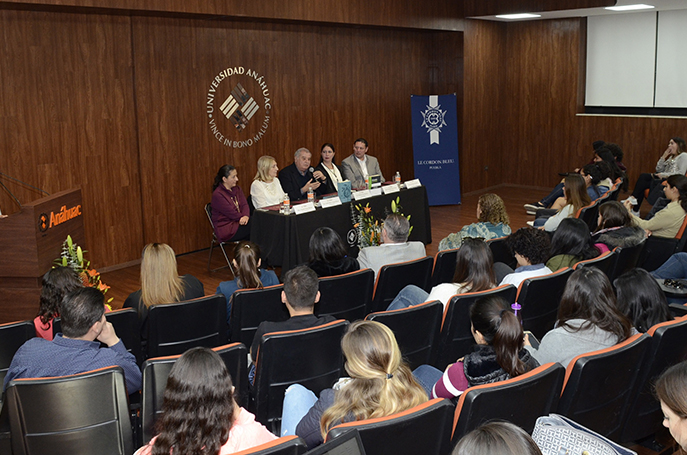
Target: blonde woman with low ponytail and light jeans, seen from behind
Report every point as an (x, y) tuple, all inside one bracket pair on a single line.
[(380, 384)]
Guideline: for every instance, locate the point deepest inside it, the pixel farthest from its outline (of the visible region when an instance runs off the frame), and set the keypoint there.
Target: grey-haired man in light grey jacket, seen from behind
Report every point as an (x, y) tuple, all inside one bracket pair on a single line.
[(395, 246)]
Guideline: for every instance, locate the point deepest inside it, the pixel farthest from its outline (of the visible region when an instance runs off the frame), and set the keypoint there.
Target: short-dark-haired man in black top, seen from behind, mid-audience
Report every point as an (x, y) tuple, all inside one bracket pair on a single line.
[(300, 294)]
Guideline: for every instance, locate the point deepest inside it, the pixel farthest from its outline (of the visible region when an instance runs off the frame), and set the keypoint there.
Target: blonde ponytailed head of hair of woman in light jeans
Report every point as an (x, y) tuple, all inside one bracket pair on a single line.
[(381, 385)]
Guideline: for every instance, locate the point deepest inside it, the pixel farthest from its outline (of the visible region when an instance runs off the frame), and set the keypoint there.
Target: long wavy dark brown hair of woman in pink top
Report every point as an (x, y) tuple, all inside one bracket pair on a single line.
[(198, 407)]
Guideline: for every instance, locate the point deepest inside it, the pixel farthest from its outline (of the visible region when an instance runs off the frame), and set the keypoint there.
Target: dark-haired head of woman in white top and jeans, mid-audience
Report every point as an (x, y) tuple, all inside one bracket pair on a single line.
[(475, 265)]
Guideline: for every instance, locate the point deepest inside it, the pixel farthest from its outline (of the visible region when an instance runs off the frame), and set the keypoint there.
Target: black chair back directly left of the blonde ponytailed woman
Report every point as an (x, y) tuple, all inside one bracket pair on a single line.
[(310, 357)]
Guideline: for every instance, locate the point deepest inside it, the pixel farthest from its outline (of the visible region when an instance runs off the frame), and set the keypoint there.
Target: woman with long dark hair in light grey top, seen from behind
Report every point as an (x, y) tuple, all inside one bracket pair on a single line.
[(588, 320)]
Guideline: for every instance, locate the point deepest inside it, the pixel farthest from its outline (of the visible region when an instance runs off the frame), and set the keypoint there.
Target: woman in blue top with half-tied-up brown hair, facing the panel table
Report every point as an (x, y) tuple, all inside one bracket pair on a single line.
[(249, 275)]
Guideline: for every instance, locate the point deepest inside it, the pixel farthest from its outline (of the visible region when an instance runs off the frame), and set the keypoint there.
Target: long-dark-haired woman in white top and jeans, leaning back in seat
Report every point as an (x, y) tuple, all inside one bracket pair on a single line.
[(474, 272)]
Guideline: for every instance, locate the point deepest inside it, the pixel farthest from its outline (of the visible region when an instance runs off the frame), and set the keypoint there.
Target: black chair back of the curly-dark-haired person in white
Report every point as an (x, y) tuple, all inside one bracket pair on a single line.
[(539, 298)]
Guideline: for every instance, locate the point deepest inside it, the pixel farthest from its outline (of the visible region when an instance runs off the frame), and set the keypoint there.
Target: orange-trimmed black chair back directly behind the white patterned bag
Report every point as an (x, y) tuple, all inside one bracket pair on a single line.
[(600, 385)]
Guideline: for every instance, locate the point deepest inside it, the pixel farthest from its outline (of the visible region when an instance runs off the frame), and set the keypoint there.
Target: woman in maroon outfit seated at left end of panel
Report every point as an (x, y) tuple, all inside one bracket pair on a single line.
[(230, 211)]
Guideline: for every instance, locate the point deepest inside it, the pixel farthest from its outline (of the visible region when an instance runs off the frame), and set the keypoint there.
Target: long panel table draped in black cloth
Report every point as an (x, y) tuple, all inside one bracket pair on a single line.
[(283, 239)]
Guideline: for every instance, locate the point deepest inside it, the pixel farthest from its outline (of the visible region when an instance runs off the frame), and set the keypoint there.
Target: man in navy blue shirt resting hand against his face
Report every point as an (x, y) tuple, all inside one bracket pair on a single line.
[(77, 349)]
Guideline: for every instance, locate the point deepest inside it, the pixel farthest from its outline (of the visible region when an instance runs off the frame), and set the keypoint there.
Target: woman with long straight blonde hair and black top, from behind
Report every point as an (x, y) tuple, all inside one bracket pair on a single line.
[(160, 282)]
